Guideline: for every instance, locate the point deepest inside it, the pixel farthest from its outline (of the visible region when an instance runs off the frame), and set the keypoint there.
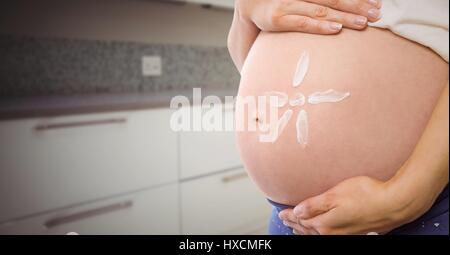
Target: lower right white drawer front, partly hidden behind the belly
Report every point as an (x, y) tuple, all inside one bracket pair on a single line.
[(231, 205)]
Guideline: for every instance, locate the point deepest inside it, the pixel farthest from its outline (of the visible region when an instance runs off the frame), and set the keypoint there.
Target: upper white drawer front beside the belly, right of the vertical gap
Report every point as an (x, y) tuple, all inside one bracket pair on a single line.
[(206, 152)]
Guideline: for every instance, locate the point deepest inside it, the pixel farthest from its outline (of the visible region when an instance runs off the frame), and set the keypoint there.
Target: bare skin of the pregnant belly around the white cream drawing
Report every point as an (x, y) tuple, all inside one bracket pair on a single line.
[(394, 85)]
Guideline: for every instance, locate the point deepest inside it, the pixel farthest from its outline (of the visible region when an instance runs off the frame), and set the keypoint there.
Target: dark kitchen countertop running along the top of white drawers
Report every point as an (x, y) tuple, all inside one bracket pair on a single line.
[(66, 105)]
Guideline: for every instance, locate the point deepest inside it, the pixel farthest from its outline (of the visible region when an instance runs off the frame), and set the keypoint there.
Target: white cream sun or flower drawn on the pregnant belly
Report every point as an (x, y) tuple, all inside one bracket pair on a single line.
[(280, 99)]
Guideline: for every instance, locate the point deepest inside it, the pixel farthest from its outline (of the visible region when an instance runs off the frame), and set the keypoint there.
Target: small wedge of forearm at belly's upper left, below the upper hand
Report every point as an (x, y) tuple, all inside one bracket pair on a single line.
[(242, 35)]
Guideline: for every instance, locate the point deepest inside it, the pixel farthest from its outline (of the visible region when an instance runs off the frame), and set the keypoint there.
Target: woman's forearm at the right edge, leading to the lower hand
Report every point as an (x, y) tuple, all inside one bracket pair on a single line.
[(423, 177)]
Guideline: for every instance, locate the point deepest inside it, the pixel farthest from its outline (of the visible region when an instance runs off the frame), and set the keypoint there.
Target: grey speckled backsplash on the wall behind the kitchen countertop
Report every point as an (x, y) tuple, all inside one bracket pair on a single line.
[(43, 66)]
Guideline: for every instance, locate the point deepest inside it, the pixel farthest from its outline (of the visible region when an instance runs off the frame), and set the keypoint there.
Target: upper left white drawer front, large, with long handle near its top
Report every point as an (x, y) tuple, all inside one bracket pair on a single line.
[(51, 163)]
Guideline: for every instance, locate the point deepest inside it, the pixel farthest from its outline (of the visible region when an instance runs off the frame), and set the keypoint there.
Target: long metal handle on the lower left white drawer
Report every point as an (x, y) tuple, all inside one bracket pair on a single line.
[(87, 214)]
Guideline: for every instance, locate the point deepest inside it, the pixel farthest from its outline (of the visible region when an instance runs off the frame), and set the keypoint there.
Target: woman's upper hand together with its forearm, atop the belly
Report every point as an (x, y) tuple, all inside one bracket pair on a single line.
[(309, 16)]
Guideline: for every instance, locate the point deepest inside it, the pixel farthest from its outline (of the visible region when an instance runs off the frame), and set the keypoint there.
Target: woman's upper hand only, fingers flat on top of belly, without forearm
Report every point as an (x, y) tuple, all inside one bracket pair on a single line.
[(310, 16)]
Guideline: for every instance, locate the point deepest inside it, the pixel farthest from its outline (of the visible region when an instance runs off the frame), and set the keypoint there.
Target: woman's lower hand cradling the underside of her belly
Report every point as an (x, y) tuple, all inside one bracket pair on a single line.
[(356, 206)]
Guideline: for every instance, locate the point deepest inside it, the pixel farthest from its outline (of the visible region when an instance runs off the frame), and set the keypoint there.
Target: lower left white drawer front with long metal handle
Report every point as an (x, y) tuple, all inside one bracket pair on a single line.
[(153, 211)]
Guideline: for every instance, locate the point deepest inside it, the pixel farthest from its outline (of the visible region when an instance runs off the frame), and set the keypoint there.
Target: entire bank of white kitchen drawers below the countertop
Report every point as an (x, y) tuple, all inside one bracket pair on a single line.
[(124, 173)]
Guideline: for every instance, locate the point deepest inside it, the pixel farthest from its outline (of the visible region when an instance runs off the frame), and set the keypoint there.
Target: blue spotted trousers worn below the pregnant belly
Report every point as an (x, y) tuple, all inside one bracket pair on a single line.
[(433, 222)]
